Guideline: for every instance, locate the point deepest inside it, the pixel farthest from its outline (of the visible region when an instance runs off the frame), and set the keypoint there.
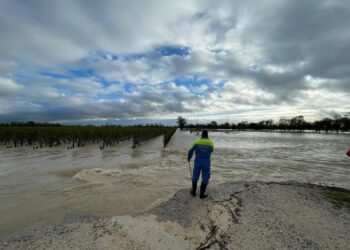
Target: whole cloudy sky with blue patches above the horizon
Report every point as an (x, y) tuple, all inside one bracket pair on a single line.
[(96, 61)]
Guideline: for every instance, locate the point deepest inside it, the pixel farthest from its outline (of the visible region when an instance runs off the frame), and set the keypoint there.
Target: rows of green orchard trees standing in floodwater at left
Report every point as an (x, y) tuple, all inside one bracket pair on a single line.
[(42, 135)]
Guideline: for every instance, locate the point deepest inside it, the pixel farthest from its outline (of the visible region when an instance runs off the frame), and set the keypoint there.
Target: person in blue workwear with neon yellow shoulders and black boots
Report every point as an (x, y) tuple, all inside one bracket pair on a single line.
[(203, 148)]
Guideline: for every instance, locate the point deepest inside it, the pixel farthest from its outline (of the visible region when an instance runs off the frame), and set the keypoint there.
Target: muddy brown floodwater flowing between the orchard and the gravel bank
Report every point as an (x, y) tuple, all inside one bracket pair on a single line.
[(44, 186)]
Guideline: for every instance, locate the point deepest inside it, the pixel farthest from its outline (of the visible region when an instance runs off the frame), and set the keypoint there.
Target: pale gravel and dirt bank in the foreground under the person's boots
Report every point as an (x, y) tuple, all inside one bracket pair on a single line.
[(244, 215)]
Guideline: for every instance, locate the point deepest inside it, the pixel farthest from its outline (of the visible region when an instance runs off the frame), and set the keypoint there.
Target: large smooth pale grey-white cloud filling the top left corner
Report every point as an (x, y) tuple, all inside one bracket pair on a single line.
[(66, 31)]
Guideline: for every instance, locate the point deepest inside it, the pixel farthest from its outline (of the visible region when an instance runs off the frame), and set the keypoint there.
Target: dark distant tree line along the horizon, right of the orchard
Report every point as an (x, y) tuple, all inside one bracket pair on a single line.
[(295, 124)]
